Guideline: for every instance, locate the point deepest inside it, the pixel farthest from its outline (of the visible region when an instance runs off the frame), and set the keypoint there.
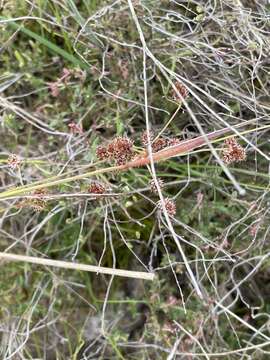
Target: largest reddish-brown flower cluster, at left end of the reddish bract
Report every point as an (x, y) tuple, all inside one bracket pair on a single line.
[(119, 149)]
